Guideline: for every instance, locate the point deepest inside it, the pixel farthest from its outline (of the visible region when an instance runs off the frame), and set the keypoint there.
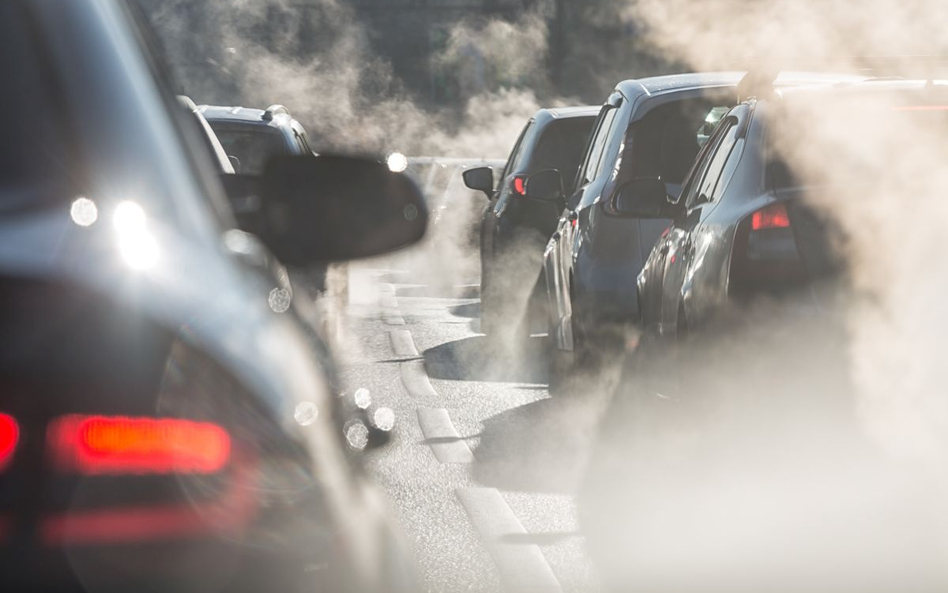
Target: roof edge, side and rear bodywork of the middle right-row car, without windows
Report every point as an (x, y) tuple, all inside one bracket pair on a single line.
[(597, 259)]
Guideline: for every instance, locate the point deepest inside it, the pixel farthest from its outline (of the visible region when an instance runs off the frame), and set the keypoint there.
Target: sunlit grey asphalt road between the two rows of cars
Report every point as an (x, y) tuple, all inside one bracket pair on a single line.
[(484, 467)]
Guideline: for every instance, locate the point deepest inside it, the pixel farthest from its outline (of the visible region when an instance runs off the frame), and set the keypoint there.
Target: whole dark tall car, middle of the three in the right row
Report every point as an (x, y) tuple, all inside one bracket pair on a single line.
[(648, 128)]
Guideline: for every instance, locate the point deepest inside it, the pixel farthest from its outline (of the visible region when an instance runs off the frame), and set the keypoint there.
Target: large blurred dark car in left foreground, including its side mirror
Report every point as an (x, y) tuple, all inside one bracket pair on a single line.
[(165, 423)]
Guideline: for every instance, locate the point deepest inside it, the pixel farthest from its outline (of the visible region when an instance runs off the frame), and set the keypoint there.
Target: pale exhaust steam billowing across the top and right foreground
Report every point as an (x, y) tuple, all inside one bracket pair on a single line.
[(807, 455)]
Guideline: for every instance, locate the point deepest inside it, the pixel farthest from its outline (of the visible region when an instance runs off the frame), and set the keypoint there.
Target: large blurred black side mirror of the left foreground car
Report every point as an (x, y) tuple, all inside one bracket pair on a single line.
[(310, 209)]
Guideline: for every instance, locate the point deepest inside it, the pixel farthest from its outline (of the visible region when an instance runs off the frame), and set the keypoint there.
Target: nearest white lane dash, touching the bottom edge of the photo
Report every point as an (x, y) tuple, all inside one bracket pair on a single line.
[(522, 567)]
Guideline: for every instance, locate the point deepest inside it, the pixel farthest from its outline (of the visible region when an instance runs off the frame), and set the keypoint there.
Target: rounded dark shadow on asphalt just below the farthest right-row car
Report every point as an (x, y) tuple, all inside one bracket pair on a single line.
[(479, 359)]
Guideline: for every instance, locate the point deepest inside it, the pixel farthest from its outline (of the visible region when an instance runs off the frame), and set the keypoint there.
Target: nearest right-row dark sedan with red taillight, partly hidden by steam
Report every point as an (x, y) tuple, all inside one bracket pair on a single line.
[(740, 229)]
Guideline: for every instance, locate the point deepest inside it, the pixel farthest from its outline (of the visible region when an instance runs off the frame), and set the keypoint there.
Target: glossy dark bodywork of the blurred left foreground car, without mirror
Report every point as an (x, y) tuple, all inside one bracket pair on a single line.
[(179, 268)]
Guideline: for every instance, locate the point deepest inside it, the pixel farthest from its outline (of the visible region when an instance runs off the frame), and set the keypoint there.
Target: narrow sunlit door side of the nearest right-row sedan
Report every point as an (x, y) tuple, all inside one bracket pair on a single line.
[(680, 245)]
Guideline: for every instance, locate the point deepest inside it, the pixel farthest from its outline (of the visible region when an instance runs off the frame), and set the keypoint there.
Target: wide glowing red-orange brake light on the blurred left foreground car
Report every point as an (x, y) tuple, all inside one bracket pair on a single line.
[(122, 445)]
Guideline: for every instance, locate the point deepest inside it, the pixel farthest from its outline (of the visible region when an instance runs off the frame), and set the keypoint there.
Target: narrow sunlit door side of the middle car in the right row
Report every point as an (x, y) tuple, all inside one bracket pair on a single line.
[(560, 248)]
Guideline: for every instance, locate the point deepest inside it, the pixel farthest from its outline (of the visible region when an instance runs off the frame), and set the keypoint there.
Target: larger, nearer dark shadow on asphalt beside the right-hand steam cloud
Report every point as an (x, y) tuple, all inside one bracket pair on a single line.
[(539, 447)]
